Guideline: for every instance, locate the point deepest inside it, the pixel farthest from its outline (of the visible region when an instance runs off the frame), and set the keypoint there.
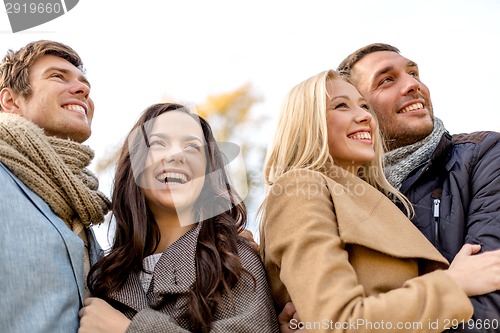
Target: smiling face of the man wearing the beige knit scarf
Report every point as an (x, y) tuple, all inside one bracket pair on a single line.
[(59, 101)]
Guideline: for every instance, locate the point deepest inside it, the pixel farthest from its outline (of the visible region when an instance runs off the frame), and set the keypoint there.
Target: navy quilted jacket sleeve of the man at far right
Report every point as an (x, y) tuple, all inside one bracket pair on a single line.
[(483, 226)]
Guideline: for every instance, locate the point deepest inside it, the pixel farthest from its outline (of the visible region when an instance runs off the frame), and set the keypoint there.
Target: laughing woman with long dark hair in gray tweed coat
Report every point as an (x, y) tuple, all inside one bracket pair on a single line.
[(177, 263)]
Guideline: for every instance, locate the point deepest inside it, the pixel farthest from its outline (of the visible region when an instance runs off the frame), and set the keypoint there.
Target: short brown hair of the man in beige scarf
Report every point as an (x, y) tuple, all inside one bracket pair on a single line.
[(15, 66)]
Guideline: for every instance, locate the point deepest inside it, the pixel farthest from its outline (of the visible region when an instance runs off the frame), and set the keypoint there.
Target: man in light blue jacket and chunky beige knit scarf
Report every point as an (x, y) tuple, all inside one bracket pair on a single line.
[(49, 198)]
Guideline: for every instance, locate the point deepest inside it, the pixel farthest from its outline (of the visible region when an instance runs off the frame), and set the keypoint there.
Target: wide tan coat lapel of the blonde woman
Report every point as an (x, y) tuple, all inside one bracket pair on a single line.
[(366, 217)]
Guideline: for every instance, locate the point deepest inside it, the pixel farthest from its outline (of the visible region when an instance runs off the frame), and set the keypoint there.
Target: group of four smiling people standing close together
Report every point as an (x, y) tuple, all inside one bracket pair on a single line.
[(337, 242)]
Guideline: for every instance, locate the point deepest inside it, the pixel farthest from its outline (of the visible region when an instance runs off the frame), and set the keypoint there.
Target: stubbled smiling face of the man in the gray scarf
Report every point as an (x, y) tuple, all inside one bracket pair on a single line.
[(391, 85)]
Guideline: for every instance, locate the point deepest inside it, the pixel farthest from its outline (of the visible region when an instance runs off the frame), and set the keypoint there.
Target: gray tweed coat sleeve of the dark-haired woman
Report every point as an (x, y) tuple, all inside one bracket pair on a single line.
[(252, 312)]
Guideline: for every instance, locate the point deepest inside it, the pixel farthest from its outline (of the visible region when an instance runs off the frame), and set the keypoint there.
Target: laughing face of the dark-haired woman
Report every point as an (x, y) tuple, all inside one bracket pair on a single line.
[(175, 168)]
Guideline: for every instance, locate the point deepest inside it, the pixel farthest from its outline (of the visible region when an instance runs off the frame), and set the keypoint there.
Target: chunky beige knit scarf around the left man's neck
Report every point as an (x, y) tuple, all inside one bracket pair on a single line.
[(55, 169)]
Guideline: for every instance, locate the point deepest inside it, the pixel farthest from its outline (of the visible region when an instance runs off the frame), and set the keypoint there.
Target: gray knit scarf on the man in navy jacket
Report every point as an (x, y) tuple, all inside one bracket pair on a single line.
[(401, 161)]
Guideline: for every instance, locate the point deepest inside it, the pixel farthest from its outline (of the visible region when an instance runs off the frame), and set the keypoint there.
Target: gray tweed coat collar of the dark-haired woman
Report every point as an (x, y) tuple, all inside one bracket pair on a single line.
[(174, 273)]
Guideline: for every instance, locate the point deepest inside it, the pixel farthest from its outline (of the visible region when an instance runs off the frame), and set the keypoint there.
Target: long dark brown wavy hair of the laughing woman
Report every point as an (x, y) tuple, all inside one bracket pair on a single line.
[(137, 235)]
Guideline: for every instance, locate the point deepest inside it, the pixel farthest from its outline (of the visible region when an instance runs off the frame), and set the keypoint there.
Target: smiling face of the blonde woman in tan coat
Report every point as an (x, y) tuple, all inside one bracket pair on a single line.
[(351, 127)]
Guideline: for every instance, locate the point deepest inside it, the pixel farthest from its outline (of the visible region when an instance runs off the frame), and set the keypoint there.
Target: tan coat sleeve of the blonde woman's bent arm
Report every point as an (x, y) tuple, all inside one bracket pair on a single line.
[(302, 240)]
